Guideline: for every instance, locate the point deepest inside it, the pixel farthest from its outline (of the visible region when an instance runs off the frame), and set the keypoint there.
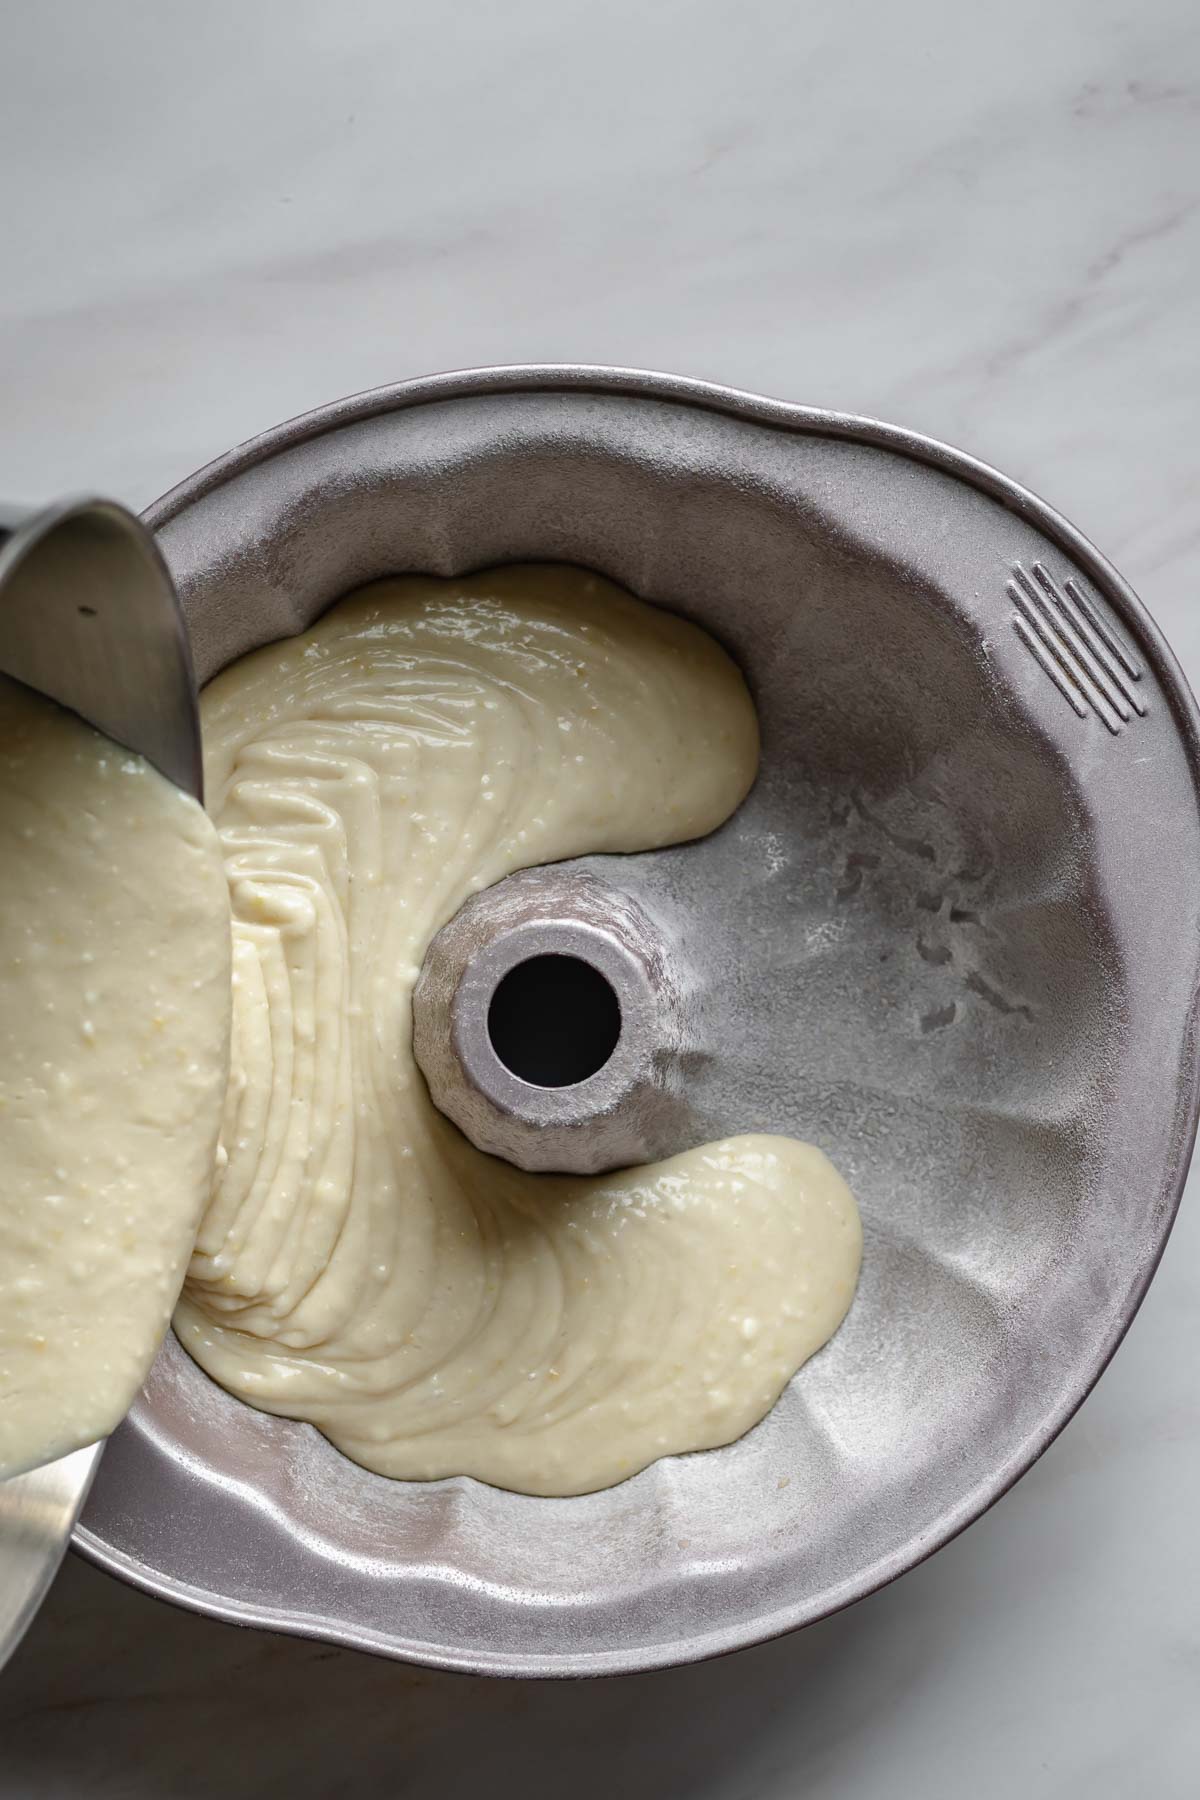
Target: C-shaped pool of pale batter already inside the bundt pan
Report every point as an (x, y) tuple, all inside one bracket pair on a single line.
[(363, 1266)]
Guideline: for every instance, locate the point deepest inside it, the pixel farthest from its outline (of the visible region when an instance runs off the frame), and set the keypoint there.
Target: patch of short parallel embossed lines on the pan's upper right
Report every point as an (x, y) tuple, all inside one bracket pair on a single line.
[(1077, 647)]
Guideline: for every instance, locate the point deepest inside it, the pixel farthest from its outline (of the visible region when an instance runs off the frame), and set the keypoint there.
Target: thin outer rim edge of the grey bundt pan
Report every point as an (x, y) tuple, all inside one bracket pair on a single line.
[(800, 420)]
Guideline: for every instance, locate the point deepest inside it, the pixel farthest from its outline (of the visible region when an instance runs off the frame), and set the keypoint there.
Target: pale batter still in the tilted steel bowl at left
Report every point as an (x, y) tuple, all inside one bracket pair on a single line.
[(114, 1057)]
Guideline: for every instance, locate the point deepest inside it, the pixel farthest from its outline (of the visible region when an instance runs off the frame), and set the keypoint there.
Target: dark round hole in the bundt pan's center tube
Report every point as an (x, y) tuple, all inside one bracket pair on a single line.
[(555, 1021)]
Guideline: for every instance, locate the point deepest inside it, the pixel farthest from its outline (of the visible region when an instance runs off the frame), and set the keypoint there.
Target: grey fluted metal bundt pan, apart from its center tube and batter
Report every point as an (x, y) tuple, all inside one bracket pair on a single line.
[(951, 937)]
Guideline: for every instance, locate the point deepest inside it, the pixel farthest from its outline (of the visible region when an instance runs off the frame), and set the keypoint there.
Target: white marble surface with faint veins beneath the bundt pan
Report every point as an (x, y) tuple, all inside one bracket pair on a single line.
[(983, 222)]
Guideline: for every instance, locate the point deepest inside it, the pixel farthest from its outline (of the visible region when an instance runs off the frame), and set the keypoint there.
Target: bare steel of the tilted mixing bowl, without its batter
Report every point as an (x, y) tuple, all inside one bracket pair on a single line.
[(91, 618)]
